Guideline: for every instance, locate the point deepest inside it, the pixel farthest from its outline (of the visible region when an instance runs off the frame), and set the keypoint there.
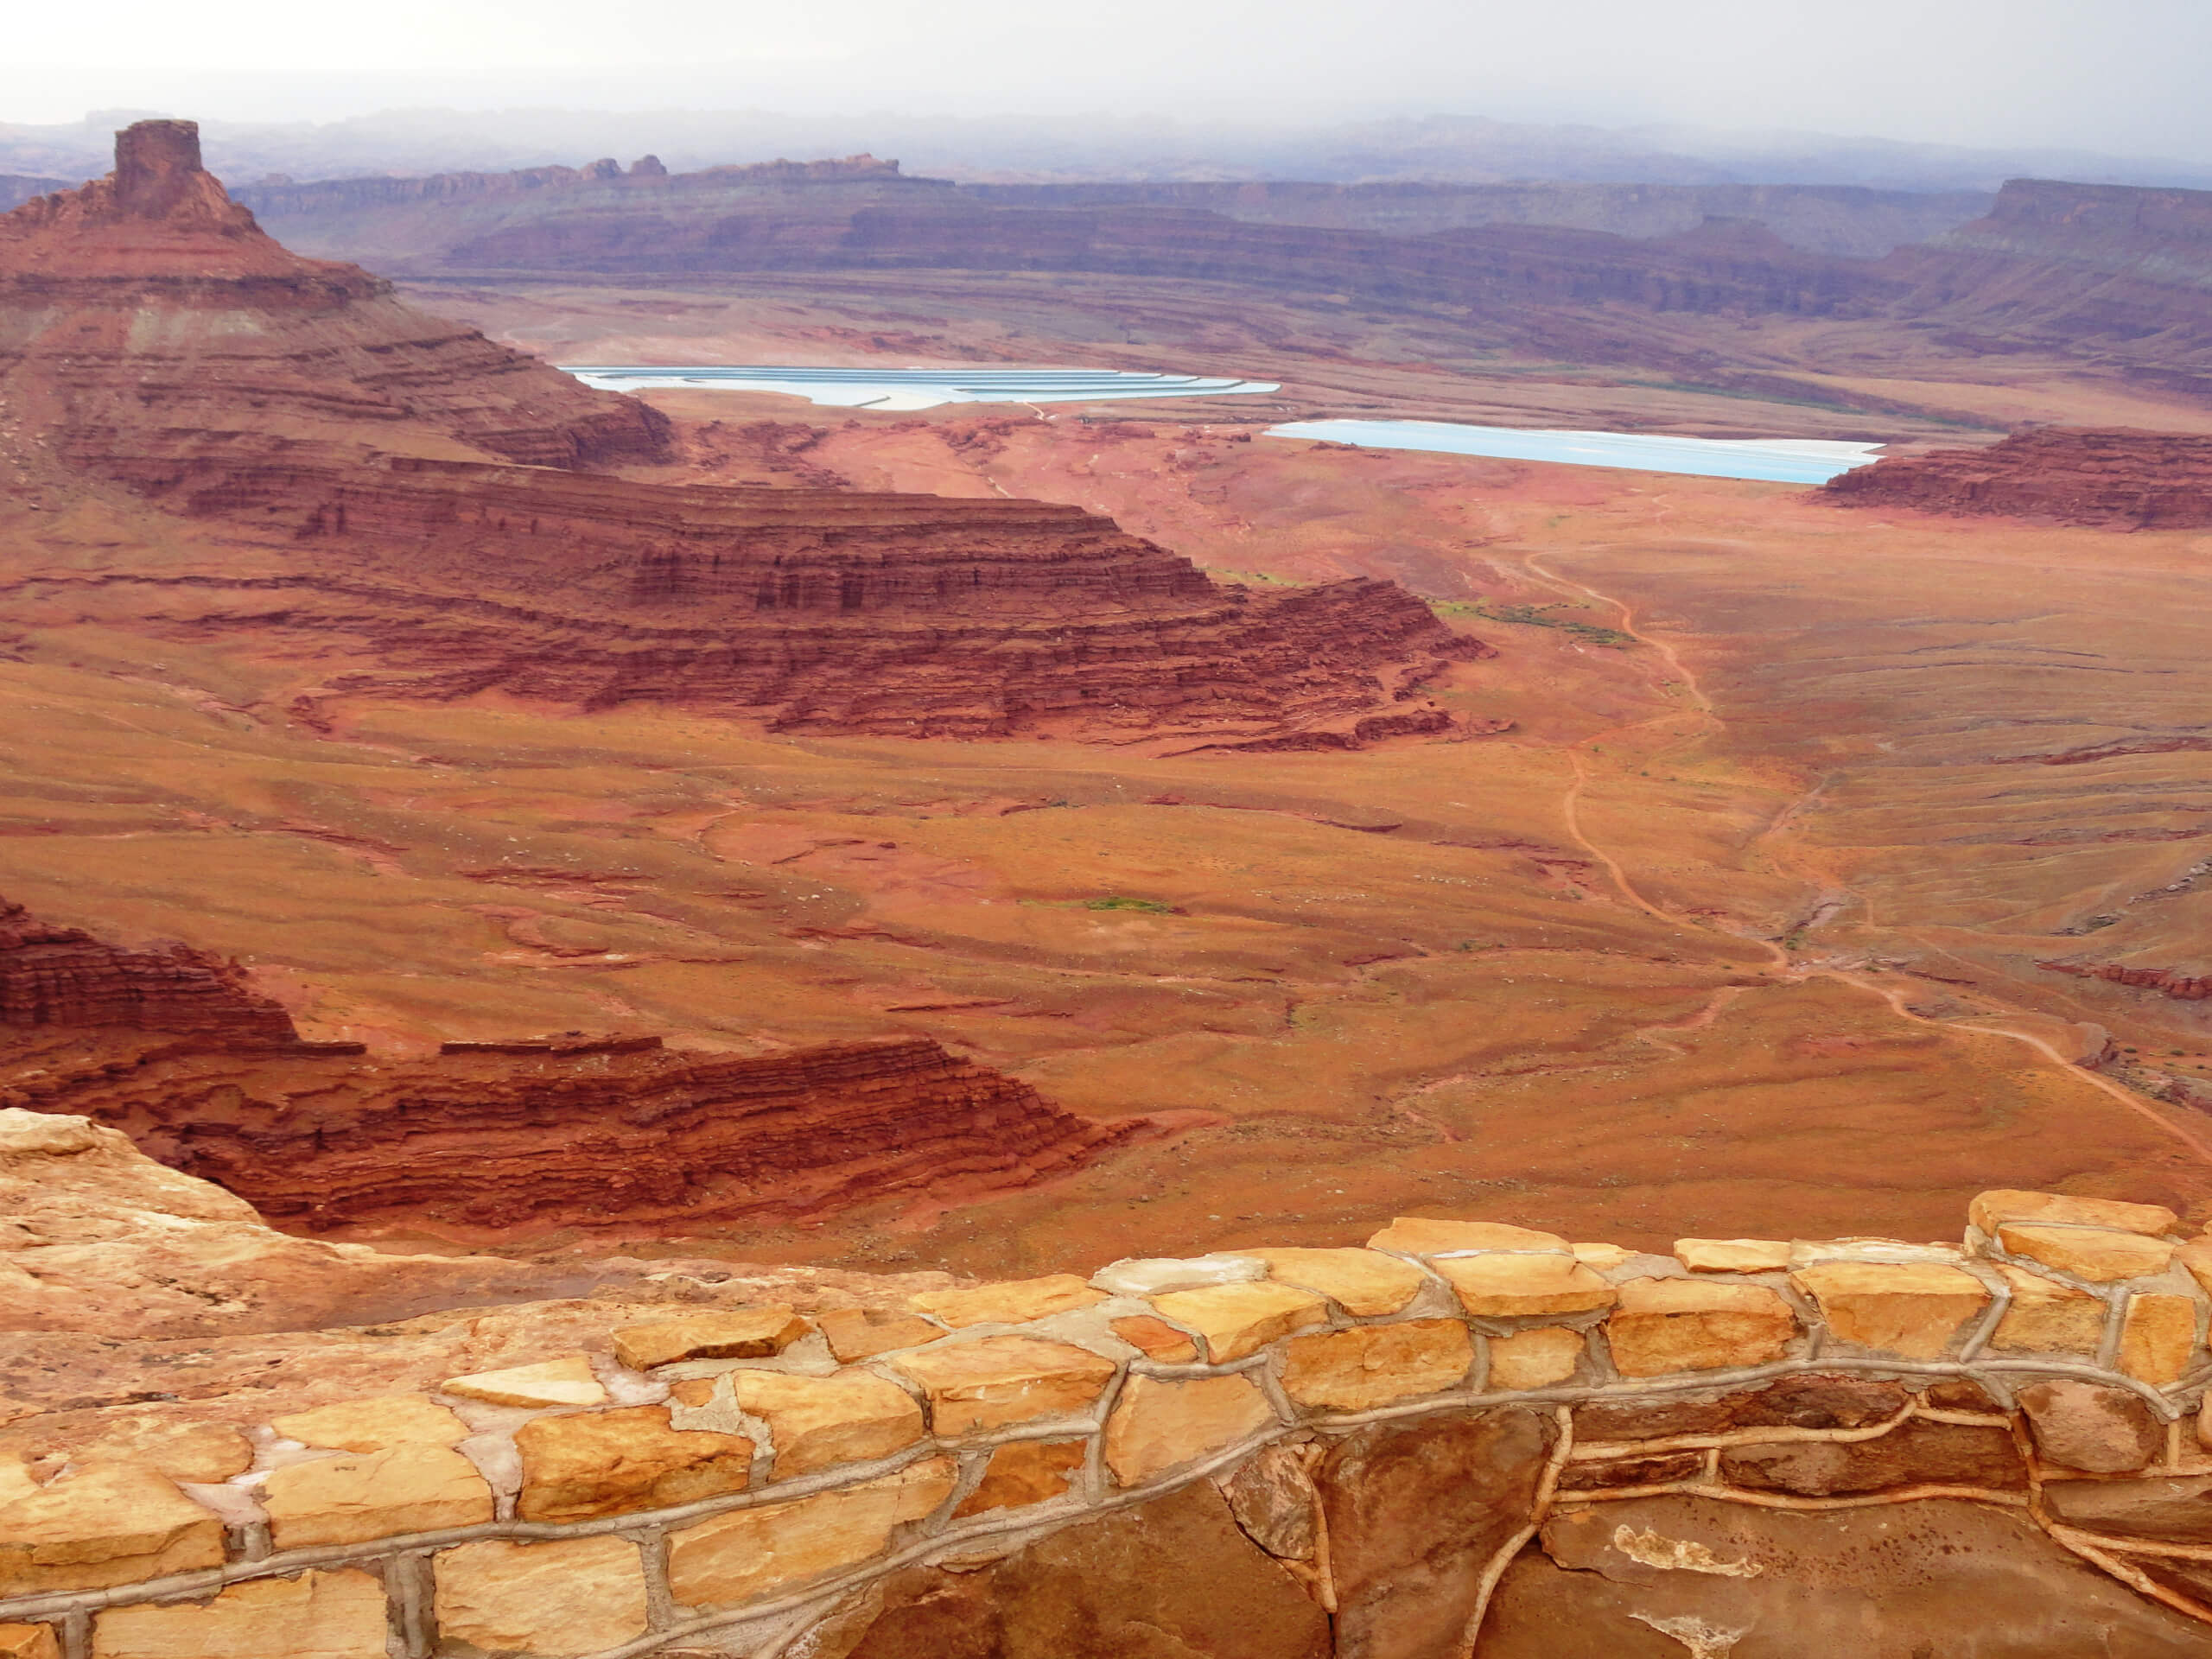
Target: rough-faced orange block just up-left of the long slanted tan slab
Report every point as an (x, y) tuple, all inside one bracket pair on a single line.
[(609, 1463)]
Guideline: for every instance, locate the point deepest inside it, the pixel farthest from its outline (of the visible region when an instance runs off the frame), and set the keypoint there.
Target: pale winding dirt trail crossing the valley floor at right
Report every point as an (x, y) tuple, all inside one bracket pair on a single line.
[(1782, 968)]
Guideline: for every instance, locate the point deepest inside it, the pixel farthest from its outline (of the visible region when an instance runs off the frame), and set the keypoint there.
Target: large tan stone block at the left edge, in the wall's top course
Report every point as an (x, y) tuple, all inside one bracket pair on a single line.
[(103, 1527)]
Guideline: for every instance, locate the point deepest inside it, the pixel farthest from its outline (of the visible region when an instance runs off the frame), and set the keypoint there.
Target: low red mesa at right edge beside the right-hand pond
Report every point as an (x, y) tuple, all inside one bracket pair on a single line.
[(2114, 479)]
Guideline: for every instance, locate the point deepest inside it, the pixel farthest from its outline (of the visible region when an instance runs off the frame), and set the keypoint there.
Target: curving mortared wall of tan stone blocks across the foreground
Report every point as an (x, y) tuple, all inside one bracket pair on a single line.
[(727, 1481)]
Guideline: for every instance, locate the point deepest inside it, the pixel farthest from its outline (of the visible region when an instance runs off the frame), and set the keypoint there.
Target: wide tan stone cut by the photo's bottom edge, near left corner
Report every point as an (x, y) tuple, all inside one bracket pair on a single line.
[(317, 1616)]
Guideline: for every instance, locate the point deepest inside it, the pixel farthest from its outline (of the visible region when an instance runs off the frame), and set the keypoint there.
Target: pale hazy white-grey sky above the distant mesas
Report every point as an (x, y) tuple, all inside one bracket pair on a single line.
[(2122, 76)]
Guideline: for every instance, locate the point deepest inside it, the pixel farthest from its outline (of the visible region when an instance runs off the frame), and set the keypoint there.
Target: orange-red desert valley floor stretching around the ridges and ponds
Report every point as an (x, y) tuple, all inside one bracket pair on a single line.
[(1753, 895)]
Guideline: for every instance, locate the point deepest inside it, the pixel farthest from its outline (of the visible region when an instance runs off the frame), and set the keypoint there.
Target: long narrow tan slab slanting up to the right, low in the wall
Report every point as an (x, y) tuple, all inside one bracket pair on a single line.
[(753, 1554)]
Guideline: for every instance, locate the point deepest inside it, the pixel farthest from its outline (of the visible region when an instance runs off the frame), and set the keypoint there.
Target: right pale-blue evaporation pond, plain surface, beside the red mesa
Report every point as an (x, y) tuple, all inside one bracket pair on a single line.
[(1775, 461)]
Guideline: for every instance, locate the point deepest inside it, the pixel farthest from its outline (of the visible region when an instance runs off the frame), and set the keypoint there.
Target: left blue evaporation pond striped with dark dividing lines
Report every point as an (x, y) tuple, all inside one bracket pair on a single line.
[(919, 388)]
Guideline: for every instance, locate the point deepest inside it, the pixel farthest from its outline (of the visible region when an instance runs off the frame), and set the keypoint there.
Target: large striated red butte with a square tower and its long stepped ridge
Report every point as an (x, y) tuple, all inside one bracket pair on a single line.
[(156, 337)]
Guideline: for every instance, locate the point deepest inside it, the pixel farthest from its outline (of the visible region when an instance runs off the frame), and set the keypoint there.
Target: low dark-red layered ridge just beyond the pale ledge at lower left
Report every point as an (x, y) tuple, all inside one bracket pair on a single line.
[(601, 1136)]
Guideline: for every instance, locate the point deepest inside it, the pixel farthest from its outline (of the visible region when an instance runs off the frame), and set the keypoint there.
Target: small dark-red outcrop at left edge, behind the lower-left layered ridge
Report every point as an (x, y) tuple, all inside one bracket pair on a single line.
[(63, 977)]
